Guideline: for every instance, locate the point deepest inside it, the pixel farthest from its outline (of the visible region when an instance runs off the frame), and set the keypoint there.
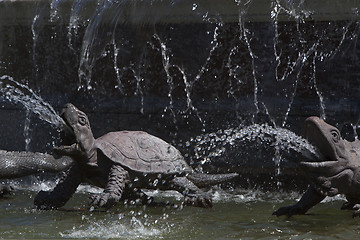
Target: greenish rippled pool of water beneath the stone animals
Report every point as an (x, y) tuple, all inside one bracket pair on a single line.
[(242, 214)]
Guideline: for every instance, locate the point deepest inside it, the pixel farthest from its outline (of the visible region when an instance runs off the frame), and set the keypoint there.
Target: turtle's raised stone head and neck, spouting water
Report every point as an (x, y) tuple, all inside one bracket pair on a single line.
[(79, 126)]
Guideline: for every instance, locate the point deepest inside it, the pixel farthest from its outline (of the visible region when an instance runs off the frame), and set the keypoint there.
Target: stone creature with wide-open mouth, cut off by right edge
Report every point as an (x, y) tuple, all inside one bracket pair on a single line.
[(338, 172)]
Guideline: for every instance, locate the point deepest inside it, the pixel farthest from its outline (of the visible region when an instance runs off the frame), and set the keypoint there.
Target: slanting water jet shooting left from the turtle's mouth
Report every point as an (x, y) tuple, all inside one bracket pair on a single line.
[(19, 93)]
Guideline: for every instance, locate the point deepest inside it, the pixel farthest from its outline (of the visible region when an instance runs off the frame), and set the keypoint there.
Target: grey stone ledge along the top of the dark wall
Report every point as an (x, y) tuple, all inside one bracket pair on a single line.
[(23, 12)]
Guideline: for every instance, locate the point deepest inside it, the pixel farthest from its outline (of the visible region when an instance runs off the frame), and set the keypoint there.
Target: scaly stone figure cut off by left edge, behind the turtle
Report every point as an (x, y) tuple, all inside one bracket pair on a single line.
[(15, 164)]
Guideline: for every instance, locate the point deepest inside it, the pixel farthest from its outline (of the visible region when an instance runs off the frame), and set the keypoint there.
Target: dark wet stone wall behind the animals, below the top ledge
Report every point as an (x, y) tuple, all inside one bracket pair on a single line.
[(236, 74)]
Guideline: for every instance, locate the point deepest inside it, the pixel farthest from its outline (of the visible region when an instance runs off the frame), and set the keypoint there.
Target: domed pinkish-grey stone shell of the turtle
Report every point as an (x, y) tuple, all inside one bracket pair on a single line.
[(142, 152)]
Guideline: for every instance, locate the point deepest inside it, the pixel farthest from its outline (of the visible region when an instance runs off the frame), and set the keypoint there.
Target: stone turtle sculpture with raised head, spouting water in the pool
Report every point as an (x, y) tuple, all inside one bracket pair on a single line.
[(122, 163)]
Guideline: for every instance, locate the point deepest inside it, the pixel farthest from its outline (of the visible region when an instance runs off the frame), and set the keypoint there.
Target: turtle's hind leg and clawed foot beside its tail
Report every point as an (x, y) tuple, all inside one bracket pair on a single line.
[(193, 195)]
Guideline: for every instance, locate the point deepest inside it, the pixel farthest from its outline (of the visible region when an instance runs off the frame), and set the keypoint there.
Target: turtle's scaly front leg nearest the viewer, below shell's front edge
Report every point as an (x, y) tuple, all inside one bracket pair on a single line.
[(118, 177)]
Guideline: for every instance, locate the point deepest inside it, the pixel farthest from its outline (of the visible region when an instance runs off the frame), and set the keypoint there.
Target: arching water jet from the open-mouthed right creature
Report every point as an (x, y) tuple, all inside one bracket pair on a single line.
[(212, 146)]
